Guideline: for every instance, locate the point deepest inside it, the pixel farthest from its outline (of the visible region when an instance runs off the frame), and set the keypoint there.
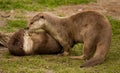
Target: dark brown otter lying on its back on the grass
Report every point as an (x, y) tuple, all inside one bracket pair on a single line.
[(22, 43)]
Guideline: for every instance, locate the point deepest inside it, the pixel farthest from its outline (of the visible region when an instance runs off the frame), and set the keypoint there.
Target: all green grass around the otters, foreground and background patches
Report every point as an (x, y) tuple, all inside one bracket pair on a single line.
[(54, 63)]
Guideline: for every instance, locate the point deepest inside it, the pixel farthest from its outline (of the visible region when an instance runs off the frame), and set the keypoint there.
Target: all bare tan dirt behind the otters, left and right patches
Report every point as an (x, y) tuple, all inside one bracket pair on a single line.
[(107, 7)]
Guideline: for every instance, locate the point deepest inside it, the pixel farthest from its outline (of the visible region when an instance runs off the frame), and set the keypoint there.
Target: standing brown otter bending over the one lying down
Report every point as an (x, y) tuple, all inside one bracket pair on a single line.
[(88, 27)]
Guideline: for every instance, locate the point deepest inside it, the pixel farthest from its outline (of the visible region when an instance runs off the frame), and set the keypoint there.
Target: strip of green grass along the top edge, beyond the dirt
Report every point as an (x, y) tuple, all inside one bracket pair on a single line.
[(38, 4)]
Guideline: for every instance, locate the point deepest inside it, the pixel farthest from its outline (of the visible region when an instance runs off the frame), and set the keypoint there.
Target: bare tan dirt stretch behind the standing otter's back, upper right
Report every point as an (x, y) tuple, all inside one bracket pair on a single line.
[(107, 7)]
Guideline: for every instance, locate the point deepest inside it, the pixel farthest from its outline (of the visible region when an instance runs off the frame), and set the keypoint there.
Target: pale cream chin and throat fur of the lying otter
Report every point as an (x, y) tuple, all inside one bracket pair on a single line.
[(28, 44)]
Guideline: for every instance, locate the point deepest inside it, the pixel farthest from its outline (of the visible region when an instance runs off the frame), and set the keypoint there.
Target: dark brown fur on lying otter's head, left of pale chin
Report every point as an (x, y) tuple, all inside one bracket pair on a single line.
[(15, 43)]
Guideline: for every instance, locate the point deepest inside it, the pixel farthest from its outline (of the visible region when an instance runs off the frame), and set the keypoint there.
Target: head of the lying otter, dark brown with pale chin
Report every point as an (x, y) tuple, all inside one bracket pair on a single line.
[(20, 43)]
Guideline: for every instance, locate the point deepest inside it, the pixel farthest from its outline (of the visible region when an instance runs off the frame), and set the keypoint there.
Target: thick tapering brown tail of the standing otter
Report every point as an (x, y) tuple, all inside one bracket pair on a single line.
[(98, 57)]
